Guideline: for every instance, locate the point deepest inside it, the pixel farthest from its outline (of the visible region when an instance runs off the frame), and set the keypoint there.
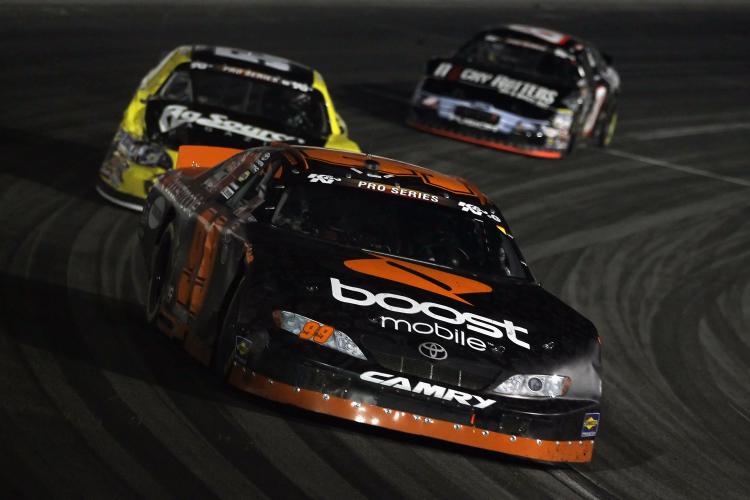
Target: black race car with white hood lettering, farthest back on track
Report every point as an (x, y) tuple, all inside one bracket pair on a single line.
[(522, 89)]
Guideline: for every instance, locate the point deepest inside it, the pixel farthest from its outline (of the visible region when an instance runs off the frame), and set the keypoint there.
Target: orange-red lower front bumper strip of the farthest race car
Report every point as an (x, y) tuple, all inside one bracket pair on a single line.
[(427, 121)]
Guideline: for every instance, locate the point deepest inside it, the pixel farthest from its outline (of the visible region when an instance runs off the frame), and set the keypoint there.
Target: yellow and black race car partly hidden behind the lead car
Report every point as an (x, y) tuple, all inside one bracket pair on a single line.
[(215, 96)]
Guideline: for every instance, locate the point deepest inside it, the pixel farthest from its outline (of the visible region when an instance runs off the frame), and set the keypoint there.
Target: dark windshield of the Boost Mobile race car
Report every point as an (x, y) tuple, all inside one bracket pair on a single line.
[(398, 226)]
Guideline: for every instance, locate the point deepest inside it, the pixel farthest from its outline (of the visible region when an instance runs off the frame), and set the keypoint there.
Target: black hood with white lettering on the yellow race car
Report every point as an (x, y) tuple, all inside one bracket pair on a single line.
[(175, 124)]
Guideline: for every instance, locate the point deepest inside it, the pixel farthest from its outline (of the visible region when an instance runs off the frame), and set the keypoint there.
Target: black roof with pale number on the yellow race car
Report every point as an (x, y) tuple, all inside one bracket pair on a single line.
[(252, 60)]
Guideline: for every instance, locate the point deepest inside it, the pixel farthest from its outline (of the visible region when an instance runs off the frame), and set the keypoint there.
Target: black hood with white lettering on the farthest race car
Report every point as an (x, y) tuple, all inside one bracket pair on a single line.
[(501, 87)]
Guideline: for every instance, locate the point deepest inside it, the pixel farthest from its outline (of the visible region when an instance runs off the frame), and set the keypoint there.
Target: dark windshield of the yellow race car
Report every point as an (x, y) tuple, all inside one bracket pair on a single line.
[(290, 110)]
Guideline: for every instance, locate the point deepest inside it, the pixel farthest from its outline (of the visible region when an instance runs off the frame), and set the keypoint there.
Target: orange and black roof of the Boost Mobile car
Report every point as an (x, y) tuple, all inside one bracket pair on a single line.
[(381, 170)]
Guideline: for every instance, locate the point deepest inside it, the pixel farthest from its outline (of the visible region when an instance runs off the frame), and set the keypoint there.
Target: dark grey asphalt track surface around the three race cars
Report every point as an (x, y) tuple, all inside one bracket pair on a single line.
[(649, 239)]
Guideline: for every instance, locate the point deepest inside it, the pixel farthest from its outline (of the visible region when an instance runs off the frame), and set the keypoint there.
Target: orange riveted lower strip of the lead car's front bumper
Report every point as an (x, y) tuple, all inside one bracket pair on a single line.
[(536, 449)]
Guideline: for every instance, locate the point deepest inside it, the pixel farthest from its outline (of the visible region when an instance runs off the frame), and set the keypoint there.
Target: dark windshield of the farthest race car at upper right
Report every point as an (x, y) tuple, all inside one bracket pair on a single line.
[(539, 63)]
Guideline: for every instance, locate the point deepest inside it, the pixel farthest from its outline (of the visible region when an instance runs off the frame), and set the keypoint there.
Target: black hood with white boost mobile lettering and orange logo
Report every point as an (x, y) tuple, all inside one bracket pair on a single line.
[(420, 319)]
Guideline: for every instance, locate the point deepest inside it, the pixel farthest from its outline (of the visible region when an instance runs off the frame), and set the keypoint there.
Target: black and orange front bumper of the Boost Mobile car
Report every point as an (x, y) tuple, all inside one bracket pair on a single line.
[(549, 430)]
